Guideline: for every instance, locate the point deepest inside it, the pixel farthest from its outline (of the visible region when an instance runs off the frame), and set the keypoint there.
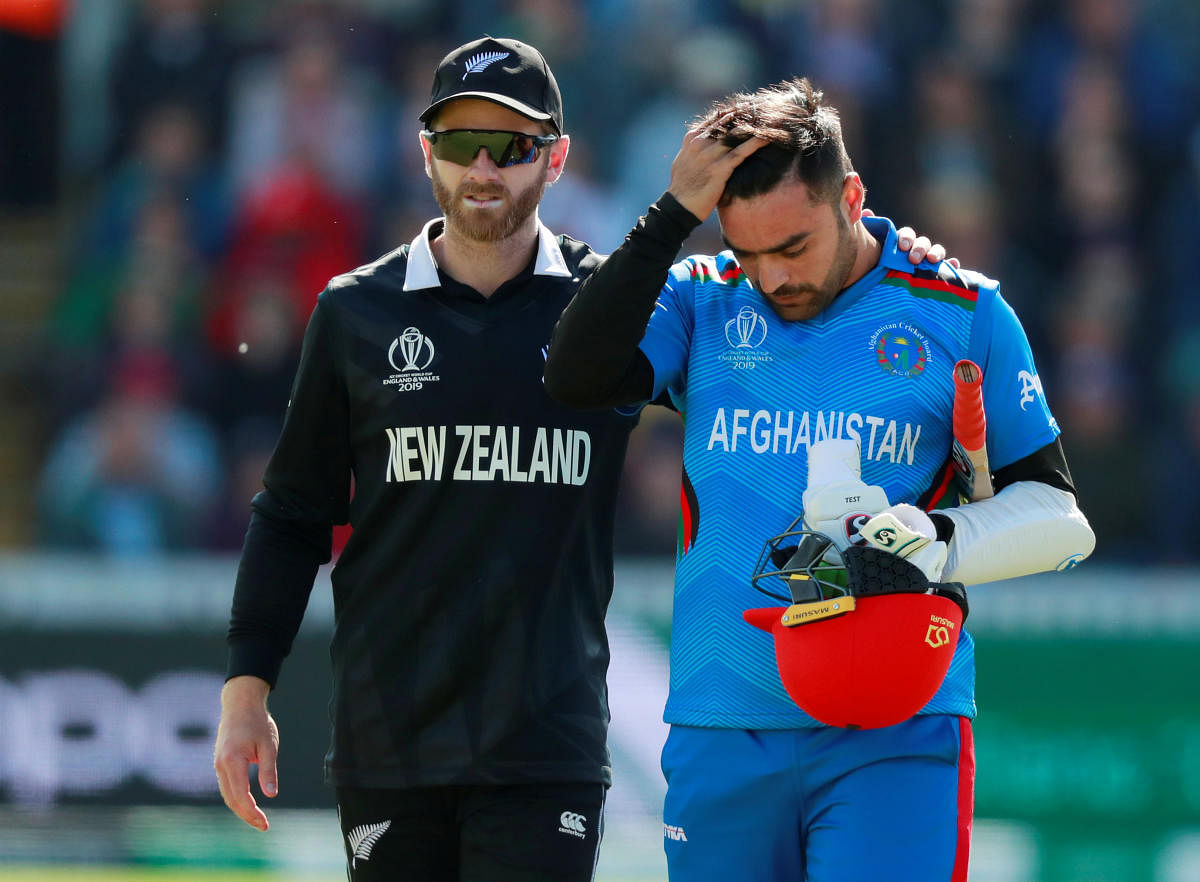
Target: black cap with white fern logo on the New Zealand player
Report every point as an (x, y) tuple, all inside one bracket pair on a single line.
[(507, 71)]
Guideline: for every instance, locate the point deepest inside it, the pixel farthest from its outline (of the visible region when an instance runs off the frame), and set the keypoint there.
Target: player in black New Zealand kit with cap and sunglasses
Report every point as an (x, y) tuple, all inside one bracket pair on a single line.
[(470, 709)]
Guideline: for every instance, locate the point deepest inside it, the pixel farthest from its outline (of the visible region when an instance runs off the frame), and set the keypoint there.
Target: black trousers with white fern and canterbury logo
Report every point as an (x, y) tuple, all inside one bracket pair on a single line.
[(542, 832)]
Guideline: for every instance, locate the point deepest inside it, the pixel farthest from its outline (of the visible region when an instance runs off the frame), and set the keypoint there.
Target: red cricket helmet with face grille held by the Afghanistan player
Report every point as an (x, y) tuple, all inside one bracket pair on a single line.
[(861, 646)]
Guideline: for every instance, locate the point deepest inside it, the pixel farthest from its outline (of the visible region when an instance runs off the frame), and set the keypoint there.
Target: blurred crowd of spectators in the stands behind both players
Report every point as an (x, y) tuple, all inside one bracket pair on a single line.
[(181, 178)]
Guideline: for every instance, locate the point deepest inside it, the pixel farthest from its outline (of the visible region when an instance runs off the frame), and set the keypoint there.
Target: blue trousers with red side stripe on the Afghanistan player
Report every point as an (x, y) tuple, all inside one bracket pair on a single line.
[(820, 805)]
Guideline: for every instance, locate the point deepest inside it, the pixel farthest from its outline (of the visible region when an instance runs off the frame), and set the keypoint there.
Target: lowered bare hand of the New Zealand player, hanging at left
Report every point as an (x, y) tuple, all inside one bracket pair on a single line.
[(247, 735)]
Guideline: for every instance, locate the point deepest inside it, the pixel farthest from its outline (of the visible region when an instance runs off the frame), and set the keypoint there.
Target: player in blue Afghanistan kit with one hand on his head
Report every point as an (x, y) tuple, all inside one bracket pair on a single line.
[(812, 327)]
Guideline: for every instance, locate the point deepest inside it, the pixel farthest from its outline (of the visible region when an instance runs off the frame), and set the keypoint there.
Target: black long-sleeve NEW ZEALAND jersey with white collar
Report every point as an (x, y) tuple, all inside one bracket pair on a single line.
[(470, 601)]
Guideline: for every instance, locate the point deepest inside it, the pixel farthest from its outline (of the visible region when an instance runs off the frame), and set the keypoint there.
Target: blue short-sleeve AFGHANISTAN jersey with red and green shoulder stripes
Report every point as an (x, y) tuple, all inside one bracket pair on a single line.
[(755, 391)]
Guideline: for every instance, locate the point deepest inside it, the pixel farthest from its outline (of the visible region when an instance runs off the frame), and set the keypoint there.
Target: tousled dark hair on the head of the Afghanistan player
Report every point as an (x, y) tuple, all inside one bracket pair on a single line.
[(805, 140)]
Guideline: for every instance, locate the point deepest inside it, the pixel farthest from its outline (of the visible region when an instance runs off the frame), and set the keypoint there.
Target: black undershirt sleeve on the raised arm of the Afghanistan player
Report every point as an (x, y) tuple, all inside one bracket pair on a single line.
[(593, 358)]
